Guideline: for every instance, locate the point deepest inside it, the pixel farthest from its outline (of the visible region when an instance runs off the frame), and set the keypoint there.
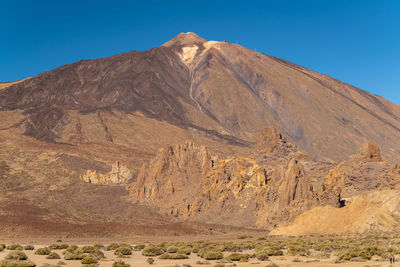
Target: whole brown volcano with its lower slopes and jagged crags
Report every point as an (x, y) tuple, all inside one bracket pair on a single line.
[(218, 128)]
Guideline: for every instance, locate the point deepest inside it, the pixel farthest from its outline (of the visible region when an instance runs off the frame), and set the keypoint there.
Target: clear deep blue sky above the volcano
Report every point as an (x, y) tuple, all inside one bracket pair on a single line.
[(357, 42)]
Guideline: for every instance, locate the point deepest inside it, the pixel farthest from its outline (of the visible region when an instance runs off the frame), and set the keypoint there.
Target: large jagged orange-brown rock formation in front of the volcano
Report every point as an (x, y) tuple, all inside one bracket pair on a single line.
[(187, 182)]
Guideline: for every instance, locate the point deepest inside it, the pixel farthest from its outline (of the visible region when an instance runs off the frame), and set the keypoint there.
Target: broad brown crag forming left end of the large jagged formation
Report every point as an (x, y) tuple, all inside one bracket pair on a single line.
[(173, 175)]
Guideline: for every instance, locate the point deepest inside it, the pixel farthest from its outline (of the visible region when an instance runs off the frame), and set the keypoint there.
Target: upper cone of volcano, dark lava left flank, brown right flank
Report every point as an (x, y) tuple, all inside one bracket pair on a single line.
[(200, 86)]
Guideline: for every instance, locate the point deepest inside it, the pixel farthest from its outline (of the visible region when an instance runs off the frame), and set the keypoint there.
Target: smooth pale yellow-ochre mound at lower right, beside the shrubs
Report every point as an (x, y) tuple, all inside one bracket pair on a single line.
[(370, 211)]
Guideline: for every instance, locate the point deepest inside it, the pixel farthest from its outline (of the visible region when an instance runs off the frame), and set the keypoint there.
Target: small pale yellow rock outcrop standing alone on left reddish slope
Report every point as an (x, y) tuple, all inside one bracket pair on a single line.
[(119, 174)]
